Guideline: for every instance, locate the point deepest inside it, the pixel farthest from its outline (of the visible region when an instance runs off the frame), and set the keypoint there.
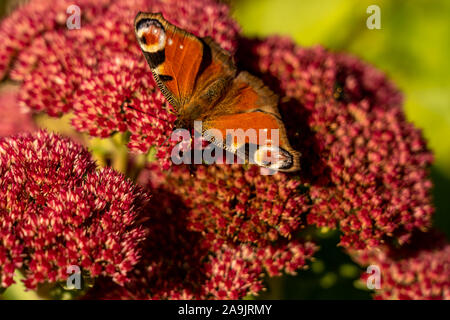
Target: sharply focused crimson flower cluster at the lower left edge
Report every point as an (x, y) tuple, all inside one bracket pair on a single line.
[(57, 210)]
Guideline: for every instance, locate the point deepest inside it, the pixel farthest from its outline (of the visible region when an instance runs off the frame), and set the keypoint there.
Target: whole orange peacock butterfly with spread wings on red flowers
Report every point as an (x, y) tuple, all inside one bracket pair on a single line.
[(200, 80)]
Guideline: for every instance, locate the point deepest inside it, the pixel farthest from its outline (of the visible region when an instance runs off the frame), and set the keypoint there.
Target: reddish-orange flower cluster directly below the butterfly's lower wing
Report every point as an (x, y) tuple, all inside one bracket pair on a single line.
[(239, 204)]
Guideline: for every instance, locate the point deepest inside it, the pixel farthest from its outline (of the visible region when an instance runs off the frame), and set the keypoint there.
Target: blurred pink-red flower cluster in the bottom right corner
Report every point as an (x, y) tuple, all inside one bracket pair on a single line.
[(418, 270)]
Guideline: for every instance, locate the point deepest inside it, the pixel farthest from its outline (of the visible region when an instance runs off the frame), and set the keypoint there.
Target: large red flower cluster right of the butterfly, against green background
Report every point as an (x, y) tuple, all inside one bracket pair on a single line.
[(365, 165)]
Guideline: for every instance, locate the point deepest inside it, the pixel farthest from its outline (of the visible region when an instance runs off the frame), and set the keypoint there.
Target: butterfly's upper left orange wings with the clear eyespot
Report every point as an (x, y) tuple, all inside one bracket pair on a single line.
[(187, 69)]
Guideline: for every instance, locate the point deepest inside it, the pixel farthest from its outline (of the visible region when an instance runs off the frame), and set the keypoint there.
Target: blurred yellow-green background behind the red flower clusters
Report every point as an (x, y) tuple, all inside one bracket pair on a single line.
[(412, 48)]
